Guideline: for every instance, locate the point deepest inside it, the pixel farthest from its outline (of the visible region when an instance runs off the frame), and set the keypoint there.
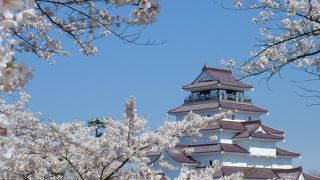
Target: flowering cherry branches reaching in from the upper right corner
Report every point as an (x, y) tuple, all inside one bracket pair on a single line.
[(291, 35)]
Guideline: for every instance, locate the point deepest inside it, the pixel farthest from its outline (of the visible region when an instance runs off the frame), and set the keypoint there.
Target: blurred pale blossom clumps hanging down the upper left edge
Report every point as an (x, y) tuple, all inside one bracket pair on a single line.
[(12, 14)]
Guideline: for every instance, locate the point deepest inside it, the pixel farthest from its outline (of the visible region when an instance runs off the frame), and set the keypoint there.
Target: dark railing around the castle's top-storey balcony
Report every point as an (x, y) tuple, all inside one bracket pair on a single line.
[(226, 97)]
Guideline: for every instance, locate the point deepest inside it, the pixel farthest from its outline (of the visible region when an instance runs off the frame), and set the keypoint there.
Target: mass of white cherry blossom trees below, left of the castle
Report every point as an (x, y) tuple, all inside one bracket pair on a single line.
[(72, 151)]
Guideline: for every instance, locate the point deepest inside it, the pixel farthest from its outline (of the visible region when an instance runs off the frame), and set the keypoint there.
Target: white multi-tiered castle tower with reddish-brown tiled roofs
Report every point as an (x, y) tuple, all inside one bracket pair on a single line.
[(243, 142)]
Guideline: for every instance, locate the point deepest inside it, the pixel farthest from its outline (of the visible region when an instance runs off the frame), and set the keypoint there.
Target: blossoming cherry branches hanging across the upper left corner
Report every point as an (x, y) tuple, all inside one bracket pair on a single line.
[(33, 25)]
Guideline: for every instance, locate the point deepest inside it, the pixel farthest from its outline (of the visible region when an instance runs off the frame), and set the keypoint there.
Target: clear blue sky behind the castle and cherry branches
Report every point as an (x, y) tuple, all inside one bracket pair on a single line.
[(80, 88)]
